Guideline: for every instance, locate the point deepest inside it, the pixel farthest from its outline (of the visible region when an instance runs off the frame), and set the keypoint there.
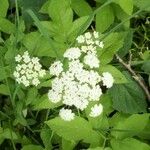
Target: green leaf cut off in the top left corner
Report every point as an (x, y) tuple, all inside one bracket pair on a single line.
[(3, 7)]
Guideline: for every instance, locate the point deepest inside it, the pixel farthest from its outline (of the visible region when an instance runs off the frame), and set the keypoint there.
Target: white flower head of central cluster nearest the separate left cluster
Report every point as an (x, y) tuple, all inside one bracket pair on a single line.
[(56, 68)]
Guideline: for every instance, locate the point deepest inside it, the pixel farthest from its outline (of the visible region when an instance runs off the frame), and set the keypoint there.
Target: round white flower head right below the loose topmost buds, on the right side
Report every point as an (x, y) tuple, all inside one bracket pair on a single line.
[(91, 60)]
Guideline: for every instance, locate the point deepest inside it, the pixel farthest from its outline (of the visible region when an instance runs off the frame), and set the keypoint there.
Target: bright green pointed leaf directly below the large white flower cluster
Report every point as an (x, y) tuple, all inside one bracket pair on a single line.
[(77, 129)]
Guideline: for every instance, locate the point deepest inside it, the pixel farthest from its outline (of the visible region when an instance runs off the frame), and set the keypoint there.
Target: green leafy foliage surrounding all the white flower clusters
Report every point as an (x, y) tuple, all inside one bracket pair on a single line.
[(46, 28)]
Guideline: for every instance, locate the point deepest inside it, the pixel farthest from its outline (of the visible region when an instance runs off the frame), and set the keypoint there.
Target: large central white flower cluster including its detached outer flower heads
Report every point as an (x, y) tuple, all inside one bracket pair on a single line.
[(79, 83)]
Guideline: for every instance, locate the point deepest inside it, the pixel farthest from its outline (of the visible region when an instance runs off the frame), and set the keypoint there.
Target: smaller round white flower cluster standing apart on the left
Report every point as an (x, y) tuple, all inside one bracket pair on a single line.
[(28, 70)]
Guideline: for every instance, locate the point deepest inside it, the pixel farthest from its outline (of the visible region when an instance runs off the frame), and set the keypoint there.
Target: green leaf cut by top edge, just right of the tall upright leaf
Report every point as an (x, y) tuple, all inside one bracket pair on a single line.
[(81, 7)]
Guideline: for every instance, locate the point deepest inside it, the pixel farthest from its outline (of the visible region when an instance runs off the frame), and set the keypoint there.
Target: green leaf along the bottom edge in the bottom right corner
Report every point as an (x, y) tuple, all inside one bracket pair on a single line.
[(129, 143)]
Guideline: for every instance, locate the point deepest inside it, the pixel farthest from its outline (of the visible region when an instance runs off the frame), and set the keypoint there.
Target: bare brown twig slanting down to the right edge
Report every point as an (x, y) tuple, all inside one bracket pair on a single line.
[(136, 77)]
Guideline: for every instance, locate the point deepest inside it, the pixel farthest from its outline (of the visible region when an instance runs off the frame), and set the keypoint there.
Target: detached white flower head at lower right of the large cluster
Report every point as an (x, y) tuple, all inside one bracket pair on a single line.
[(96, 110)]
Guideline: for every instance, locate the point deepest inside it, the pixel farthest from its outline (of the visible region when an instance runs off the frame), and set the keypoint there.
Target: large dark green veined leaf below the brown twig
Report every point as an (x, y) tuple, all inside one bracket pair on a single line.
[(128, 97)]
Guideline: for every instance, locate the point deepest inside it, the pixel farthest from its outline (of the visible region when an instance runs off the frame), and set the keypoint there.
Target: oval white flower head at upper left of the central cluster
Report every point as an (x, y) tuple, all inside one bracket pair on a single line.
[(72, 53)]
